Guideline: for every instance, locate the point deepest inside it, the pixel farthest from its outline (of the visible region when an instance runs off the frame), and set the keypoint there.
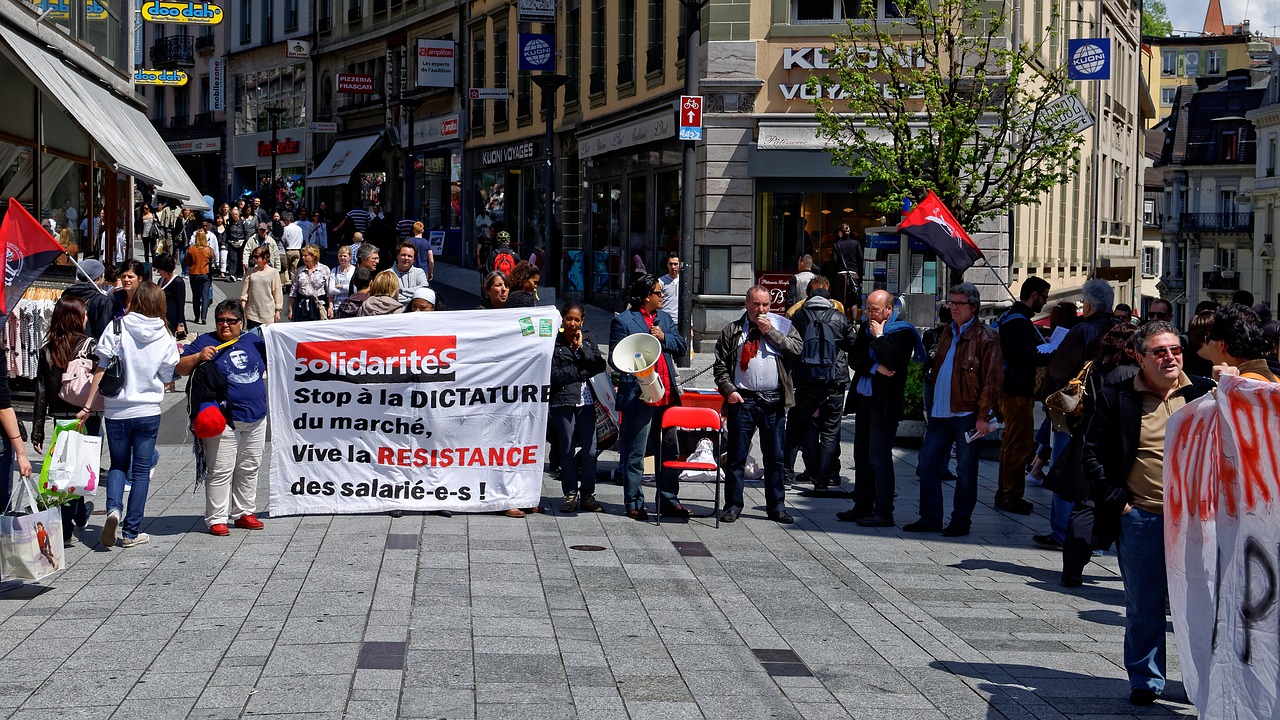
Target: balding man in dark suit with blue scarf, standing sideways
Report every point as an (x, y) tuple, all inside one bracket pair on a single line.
[(883, 354)]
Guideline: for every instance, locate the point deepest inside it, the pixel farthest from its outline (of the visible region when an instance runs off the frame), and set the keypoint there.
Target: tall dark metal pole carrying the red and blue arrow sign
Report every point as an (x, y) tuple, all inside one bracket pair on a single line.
[(689, 176)]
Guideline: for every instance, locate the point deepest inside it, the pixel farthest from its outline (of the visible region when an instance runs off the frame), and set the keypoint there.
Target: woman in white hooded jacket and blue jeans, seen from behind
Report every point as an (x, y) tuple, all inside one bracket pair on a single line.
[(150, 357)]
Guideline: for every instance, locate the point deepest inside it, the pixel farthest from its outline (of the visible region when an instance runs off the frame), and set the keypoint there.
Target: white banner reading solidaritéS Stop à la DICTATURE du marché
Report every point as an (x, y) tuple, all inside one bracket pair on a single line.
[(413, 412)]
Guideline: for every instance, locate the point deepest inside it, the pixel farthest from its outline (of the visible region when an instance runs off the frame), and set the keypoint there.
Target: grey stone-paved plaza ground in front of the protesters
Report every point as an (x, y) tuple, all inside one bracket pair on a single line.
[(368, 617)]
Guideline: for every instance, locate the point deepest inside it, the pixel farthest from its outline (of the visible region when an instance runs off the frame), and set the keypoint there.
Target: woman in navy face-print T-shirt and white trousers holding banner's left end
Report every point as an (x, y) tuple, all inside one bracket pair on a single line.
[(235, 455)]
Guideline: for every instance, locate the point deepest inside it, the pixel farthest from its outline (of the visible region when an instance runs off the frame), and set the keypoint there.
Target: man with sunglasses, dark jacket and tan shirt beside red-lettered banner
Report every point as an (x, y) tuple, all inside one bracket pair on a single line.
[(1123, 461)]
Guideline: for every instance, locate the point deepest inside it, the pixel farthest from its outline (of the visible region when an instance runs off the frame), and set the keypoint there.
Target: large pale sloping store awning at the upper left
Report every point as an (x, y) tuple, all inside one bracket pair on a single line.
[(122, 131)]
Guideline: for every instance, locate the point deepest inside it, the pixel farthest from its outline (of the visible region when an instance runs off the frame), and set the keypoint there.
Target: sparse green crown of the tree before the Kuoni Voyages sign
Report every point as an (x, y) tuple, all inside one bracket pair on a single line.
[(941, 101)]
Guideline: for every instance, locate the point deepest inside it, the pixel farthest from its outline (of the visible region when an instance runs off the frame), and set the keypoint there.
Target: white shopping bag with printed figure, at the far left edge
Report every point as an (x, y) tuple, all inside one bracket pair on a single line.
[(31, 540)]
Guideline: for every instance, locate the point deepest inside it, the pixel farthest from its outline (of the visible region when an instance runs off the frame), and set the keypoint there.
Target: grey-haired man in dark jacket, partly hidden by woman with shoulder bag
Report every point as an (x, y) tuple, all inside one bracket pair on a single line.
[(1078, 348)]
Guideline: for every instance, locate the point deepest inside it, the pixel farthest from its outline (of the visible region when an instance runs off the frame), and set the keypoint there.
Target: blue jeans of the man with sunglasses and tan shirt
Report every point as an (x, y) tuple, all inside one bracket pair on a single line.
[(1141, 550)]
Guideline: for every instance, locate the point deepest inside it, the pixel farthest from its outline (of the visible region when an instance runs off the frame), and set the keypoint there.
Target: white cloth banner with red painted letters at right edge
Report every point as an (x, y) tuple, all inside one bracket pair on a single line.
[(1223, 548)]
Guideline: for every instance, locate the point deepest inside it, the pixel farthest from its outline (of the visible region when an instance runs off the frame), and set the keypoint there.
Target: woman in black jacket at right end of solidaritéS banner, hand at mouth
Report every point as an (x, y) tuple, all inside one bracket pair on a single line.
[(573, 409)]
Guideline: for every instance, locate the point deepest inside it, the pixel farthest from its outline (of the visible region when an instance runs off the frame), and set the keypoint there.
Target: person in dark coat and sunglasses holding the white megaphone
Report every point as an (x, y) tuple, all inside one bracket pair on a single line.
[(642, 420)]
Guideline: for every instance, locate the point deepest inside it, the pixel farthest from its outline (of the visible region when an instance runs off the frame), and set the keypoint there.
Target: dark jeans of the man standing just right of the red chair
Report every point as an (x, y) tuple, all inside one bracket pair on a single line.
[(744, 418)]
